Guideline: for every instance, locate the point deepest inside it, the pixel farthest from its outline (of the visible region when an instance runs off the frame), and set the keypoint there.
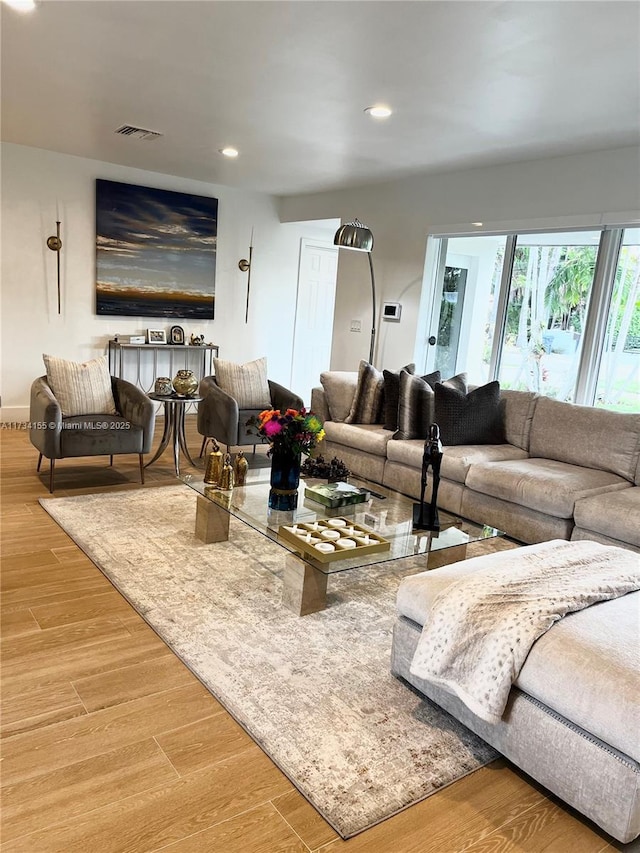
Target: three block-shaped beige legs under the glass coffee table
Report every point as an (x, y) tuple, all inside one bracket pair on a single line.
[(304, 587)]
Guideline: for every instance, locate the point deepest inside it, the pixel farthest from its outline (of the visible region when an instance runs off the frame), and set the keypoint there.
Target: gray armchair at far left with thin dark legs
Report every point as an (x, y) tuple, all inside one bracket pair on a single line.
[(59, 437)]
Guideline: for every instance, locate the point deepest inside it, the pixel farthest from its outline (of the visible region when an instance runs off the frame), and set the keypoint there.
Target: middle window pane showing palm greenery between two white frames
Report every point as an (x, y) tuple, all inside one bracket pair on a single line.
[(548, 301)]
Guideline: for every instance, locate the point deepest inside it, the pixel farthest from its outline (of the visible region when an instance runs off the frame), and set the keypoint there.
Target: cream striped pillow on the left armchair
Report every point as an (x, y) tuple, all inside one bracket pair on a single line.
[(81, 388)]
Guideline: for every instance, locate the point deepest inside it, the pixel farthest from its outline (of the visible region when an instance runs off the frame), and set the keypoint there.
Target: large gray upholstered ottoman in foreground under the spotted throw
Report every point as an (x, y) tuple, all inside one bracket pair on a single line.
[(573, 717)]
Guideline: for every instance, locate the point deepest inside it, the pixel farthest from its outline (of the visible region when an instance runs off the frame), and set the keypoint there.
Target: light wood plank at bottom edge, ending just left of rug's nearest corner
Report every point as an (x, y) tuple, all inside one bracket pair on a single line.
[(259, 830)]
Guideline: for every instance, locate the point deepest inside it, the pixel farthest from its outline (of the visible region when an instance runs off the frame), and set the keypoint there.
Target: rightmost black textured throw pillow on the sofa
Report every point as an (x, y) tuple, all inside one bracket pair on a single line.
[(469, 418)]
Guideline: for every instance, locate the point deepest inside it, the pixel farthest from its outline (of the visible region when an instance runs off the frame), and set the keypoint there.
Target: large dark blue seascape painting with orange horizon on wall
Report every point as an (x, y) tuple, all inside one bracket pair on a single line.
[(155, 252)]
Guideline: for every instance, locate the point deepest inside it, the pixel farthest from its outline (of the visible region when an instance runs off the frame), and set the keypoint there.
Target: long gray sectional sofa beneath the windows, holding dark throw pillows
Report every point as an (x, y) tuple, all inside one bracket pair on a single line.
[(563, 472)]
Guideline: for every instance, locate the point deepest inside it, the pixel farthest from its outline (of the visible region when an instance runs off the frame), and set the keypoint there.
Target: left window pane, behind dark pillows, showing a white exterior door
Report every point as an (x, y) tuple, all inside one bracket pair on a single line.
[(467, 309)]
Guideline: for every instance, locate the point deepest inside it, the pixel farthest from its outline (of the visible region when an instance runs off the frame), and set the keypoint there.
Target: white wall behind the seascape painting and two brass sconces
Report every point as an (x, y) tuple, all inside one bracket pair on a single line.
[(40, 186)]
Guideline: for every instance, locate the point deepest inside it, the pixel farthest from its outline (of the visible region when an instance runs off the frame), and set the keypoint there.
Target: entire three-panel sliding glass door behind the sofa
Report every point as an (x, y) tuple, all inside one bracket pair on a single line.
[(557, 313)]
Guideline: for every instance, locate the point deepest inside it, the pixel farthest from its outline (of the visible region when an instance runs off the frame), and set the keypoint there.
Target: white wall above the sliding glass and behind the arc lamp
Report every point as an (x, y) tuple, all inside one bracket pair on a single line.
[(574, 191)]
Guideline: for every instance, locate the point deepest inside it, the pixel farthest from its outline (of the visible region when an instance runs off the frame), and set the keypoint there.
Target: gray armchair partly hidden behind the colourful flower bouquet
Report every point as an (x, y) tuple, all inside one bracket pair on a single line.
[(220, 417)]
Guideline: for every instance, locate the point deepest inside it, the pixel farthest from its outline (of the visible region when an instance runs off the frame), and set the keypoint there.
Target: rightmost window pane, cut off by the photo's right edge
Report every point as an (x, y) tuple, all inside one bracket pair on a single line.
[(618, 385)]
